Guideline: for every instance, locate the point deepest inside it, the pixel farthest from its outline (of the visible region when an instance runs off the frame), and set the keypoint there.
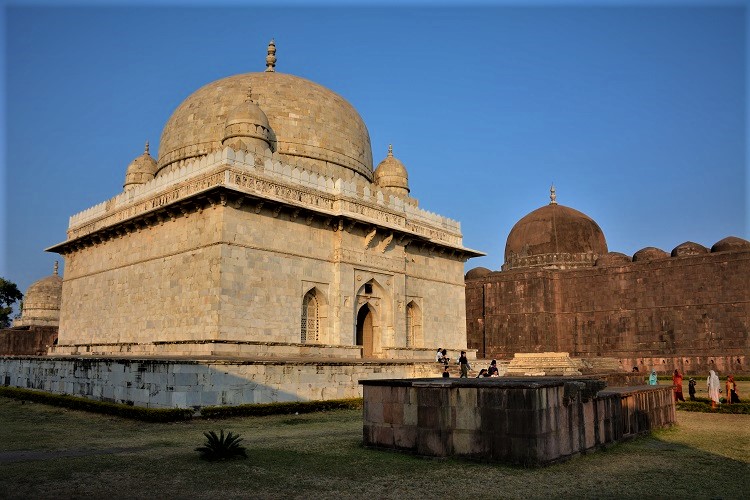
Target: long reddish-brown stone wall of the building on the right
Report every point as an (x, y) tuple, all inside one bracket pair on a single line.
[(690, 313)]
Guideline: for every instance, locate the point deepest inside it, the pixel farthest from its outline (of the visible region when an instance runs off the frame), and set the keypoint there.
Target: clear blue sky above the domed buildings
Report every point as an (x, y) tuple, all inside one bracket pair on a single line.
[(636, 113)]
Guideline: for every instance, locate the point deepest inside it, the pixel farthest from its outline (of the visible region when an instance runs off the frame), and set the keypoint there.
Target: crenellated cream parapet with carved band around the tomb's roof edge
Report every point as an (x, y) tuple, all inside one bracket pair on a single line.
[(263, 175)]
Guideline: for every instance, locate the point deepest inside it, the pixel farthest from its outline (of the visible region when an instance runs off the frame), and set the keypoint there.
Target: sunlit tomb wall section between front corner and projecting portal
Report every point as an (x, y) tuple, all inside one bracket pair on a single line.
[(268, 262)]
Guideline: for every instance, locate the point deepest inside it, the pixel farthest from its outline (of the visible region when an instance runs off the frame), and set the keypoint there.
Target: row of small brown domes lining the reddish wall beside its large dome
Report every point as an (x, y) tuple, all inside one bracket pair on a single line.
[(689, 248)]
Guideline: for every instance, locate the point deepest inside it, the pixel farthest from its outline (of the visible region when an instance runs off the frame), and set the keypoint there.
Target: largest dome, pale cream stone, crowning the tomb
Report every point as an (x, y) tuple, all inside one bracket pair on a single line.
[(307, 121)]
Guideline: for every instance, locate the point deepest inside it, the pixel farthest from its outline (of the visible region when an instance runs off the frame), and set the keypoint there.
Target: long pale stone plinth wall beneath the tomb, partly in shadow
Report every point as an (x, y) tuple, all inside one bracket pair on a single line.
[(183, 384)]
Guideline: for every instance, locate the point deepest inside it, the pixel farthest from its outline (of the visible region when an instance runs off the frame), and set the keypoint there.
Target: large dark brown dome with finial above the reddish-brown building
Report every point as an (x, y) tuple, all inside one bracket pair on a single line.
[(554, 237)]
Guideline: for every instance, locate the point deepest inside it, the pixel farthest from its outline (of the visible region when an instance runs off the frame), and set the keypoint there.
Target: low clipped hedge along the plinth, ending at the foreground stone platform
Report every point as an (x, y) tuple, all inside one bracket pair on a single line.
[(262, 409)]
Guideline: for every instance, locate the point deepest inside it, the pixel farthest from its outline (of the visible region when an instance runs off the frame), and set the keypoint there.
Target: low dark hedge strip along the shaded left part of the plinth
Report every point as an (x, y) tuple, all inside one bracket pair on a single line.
[(79, 403)]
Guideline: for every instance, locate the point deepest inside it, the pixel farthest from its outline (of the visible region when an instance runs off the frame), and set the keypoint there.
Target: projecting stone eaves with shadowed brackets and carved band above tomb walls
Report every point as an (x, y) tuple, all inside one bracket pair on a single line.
[(236, 186)]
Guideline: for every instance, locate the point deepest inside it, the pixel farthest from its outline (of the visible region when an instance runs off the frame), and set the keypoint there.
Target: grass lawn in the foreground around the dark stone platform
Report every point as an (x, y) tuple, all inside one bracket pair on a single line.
[(49, 452)]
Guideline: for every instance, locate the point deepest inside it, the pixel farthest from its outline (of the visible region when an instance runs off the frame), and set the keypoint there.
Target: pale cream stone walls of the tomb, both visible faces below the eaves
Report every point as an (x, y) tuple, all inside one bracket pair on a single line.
[(239, 272)]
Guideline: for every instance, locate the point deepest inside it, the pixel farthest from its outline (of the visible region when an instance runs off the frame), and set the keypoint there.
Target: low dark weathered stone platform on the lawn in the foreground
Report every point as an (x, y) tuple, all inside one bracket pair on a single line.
[(523, 420)]
